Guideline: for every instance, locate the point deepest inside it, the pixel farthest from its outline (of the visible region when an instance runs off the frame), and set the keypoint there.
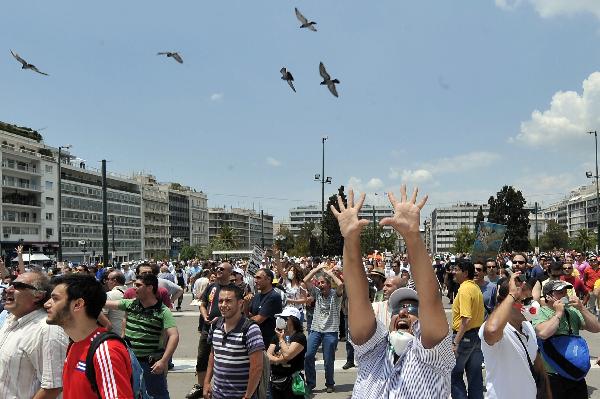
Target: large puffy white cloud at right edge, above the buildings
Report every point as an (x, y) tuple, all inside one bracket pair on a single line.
[(570, 115)]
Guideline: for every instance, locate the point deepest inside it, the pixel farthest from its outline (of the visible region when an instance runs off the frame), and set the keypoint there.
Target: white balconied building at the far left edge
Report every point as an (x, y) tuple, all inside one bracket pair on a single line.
[(29, 191)]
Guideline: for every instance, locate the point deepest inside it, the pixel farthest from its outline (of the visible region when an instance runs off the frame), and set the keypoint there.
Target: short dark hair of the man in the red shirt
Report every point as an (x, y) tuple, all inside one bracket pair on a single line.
[(86, 287)]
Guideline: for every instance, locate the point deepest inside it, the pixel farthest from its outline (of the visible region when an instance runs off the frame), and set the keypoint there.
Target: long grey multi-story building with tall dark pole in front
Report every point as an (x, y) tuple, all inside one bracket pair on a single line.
[(81, 189)]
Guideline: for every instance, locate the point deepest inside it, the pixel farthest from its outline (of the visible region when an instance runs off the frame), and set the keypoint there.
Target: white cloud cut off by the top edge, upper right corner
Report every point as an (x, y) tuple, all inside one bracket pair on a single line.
[(553, 8)]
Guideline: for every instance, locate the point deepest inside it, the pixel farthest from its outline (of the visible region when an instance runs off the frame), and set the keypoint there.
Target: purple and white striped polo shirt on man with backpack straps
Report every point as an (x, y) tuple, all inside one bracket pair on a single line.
[(231, 354)]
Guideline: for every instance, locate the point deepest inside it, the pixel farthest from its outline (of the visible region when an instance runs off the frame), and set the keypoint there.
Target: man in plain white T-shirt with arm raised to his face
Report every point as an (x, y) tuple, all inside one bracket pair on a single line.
[(509, 344)]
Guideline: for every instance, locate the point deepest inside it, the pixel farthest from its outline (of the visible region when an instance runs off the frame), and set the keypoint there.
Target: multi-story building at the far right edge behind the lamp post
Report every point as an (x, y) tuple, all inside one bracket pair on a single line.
[(576, 211)]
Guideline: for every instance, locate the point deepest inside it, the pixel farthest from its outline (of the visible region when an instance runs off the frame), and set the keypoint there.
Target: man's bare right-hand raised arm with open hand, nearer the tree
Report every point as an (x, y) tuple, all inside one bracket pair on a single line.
[(406, 220)]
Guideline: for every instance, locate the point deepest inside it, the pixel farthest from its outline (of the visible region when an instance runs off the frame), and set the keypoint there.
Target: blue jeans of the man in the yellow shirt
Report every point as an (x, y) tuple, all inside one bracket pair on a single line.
[(468, 359)]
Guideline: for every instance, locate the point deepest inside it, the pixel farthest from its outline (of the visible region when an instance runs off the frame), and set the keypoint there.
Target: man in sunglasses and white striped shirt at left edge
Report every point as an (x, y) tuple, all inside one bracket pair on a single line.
[(31, 352)]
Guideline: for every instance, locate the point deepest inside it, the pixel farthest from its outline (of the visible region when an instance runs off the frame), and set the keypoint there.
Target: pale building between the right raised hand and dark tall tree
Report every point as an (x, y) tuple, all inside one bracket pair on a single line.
[(447, 220)]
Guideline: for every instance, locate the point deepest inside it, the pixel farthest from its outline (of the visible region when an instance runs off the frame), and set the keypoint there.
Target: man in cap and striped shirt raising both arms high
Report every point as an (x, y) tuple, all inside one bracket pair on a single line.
[(412, 357)]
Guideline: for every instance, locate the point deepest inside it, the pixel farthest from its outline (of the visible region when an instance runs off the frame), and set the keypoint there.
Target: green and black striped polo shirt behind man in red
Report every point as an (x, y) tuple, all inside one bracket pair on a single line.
[(144, 326)]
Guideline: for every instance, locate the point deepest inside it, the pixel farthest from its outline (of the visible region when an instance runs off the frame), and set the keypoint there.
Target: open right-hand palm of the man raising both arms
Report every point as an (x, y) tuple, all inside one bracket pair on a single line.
[(407, 213)]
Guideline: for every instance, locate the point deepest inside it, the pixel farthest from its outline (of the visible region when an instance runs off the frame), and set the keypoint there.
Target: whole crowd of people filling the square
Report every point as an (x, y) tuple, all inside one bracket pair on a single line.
[(101, 331)]
